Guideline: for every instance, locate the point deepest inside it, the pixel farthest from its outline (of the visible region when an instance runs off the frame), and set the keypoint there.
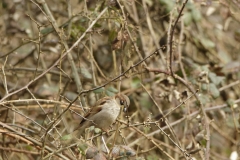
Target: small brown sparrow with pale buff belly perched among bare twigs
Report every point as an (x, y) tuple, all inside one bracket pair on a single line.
[(104, 113)]
